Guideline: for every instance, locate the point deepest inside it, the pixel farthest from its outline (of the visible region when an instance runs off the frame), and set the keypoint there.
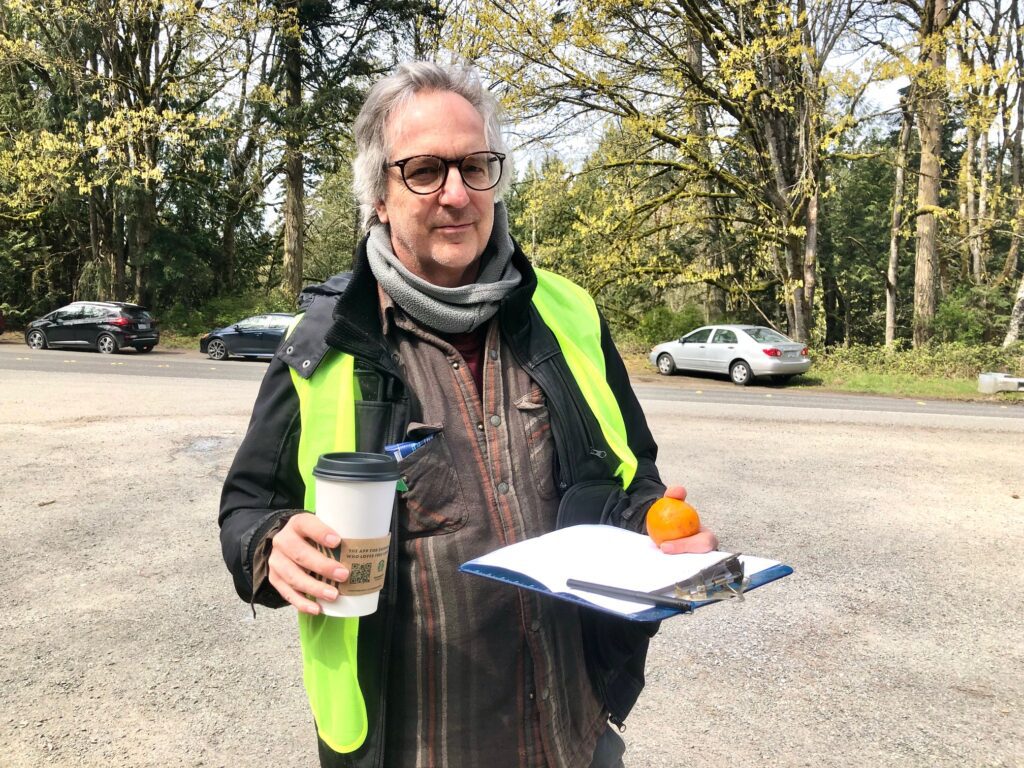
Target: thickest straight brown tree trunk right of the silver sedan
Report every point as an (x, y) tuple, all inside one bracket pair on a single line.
[(930, 116)]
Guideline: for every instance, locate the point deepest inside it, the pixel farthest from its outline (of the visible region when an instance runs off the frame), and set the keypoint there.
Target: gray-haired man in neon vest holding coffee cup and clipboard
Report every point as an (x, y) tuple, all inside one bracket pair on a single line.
[(510, 372)]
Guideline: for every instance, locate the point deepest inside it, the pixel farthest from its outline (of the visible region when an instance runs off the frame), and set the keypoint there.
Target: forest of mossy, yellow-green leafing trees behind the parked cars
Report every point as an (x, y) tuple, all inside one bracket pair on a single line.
[(686, 161)]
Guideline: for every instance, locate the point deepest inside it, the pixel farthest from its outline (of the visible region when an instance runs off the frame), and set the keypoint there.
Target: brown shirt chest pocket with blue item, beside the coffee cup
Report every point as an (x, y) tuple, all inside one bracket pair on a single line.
[(435, 503)]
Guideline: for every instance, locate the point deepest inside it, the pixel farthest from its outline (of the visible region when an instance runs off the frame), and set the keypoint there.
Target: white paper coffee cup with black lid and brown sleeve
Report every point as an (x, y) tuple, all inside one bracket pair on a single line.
[(356, 496)]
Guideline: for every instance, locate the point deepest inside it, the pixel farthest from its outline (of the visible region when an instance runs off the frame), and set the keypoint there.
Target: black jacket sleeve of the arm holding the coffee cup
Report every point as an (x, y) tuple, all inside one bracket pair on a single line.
[(264, 487)]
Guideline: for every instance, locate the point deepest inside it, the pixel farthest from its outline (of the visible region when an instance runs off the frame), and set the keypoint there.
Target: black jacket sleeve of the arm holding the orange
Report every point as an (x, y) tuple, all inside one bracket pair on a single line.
[(647, 486)]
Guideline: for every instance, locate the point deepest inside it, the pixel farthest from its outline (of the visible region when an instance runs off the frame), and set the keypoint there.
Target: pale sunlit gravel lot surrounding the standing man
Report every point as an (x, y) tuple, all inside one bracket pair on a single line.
[(897, 643)]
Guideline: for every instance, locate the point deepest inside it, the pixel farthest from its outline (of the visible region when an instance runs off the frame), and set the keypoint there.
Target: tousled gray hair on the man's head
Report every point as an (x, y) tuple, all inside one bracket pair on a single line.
[(394, 93)]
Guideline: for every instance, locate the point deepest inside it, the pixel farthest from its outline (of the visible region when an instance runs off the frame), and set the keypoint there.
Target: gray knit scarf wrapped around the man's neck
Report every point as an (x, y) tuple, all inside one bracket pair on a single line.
[(448, 310)]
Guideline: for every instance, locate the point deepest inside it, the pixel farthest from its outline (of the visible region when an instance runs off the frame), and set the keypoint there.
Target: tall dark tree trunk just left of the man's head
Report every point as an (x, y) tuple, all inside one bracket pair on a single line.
[(294, 190)]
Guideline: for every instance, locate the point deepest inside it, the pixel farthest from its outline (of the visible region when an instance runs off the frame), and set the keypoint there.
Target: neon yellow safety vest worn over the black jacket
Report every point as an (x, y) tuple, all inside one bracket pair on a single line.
[(327, 408)]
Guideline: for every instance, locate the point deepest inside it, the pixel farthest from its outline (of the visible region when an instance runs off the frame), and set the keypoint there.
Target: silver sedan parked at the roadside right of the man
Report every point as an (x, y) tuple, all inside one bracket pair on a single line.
[(745, 353)]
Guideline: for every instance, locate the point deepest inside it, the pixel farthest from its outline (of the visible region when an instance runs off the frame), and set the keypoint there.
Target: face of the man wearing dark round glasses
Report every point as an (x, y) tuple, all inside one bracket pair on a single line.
[(439, 237)]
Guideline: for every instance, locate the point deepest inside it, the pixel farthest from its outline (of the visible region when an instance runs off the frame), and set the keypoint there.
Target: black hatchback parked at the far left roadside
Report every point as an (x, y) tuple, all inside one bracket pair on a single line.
[(105, 326)]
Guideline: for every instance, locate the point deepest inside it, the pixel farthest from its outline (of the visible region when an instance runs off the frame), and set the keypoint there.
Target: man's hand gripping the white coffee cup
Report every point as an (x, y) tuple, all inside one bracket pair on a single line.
[(293, 559)]
